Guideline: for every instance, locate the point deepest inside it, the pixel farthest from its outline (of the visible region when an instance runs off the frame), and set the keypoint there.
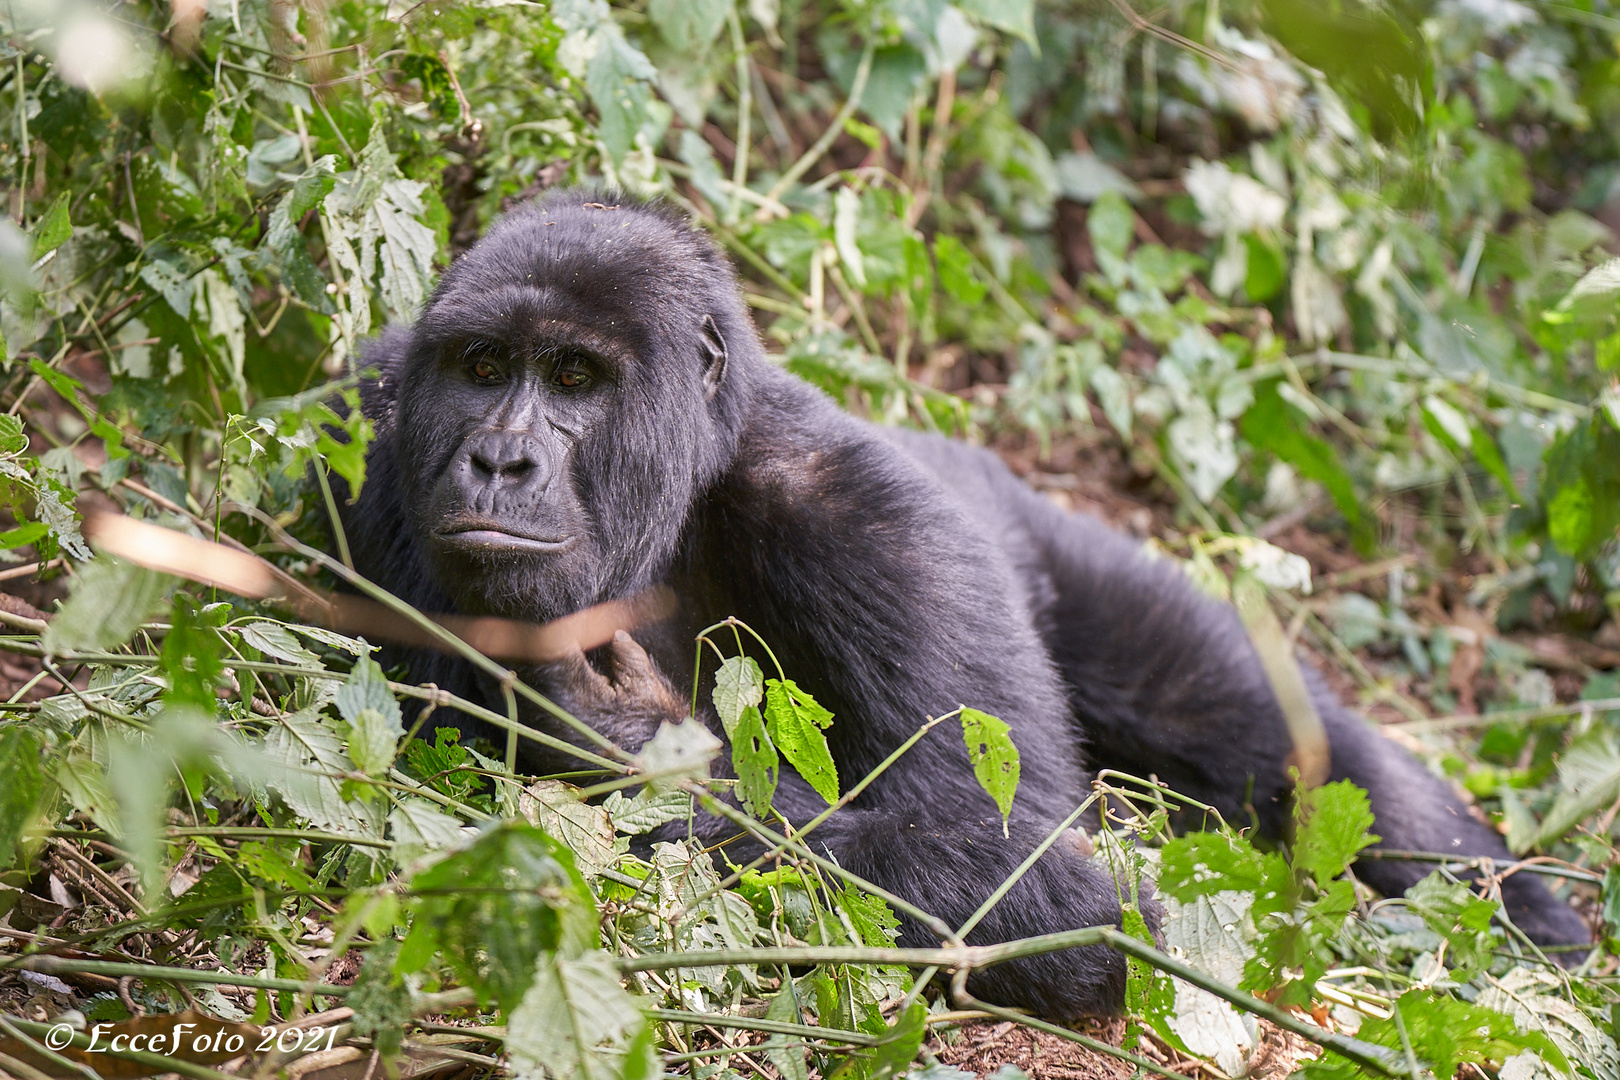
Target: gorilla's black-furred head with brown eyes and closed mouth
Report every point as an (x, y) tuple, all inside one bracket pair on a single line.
[(574, 385)]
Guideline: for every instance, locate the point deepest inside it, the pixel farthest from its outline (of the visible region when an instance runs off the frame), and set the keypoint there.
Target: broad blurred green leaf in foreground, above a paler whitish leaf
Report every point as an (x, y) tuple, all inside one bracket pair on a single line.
[(497, 908)]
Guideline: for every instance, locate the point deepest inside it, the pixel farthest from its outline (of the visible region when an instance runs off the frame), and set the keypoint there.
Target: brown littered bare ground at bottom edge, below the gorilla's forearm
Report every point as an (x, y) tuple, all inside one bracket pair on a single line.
[(987, 1045)]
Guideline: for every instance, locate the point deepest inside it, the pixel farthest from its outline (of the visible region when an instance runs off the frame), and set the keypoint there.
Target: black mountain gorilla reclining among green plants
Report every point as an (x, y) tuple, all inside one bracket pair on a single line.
[(584, 410)]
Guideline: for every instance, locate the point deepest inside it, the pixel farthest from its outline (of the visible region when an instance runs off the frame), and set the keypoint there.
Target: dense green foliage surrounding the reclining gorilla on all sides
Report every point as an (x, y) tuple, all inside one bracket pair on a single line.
[(1279, 263)]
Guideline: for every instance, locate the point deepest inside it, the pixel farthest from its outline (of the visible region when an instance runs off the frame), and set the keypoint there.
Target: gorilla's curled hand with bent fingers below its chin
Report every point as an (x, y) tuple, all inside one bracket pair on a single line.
[(626, 707)]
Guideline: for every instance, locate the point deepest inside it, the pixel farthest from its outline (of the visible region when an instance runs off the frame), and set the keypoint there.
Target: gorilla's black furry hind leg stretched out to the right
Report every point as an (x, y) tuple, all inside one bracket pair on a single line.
[(1175, 689)]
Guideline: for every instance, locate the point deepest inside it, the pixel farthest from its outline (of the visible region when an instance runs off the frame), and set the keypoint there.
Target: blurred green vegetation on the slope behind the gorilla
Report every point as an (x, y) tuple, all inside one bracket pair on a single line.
[(1329, 287)]
